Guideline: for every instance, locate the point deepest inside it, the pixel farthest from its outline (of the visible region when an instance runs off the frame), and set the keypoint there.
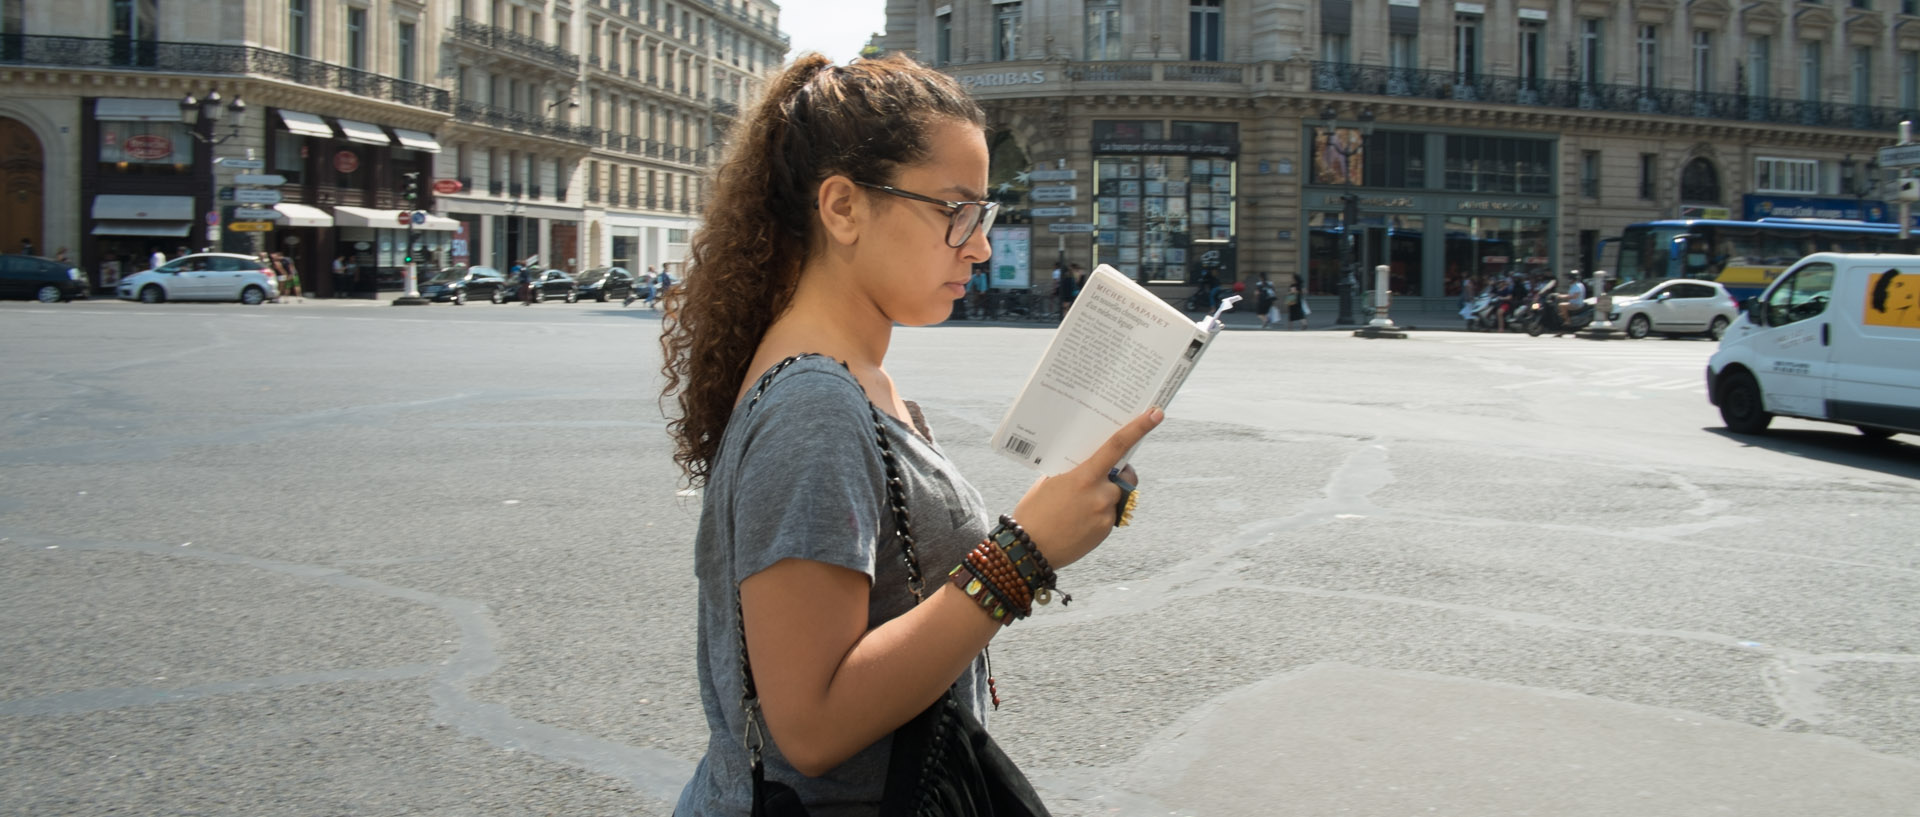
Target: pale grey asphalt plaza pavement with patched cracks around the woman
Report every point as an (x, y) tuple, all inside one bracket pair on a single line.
[(300, 559)]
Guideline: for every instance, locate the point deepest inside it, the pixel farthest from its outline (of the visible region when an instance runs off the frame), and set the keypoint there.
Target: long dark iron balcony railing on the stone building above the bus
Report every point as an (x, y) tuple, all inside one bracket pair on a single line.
[(1598, 97)]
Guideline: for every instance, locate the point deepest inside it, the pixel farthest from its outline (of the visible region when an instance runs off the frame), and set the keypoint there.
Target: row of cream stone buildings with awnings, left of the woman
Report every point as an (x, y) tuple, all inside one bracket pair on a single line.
[(567, 129)]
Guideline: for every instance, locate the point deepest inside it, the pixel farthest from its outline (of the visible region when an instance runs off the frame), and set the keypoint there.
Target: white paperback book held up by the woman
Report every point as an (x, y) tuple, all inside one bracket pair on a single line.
[(1120, 352)]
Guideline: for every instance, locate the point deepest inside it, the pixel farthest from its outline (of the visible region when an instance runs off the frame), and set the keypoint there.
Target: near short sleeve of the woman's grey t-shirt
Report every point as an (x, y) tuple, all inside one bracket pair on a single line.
[(811, 482)]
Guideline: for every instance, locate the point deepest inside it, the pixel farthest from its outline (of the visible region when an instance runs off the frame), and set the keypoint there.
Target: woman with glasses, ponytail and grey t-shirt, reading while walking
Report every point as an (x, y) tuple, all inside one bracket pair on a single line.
[(850, 200)]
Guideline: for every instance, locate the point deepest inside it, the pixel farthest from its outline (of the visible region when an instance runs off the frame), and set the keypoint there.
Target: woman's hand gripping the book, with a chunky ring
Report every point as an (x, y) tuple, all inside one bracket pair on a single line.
[(1072, 513)]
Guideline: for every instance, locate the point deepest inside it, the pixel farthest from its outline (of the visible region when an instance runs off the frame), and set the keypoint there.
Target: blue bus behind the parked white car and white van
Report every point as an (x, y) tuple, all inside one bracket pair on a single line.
[(1744, 256)]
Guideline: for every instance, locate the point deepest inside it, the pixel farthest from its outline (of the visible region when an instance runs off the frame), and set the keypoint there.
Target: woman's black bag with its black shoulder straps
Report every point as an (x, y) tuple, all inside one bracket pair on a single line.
[(944, 764)]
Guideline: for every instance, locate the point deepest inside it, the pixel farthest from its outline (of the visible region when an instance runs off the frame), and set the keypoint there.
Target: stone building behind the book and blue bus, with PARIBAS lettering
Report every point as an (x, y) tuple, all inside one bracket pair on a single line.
[(1226, 137)]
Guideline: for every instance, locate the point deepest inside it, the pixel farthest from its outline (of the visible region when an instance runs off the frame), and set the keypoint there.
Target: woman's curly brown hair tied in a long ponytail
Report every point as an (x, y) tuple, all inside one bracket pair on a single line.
[(819, 120)]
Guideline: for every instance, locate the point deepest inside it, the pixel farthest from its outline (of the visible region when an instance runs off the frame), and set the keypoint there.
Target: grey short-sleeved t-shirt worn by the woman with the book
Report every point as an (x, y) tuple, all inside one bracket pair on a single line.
[(800, 477)]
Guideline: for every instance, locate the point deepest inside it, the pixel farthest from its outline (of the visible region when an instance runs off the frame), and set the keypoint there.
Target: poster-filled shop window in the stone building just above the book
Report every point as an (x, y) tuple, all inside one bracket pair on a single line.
[(1164, 218)]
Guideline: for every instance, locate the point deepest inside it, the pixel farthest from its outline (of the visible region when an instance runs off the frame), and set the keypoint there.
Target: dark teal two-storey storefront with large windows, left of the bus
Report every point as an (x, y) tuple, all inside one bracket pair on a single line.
[(1437, 210)]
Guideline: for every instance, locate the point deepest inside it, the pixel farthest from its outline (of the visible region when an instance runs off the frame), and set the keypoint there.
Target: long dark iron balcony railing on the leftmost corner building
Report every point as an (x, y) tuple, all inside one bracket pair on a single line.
[(204, 58)]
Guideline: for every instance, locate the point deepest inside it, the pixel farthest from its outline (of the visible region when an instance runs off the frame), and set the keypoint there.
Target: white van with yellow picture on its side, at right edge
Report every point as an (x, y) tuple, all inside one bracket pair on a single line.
[(1835, 338)]
